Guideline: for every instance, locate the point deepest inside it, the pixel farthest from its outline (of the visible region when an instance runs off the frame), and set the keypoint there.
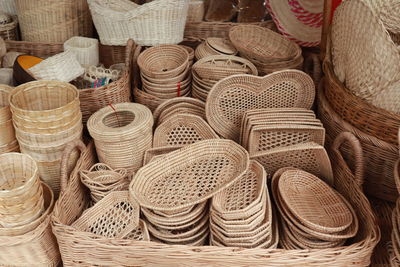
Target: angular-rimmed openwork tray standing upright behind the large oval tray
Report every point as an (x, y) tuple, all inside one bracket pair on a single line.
[(182, 129)]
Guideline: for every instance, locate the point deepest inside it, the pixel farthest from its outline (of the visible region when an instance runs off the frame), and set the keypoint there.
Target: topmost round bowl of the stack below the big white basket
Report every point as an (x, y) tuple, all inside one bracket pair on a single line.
[(164, 61)]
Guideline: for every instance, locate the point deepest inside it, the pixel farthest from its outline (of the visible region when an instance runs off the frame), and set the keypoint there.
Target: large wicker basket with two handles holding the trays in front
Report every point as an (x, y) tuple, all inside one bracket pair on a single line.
[(74, 198)]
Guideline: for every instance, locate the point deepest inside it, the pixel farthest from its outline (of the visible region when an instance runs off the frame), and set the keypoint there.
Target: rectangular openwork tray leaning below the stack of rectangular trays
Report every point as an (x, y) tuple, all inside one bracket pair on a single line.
[(310, 157)]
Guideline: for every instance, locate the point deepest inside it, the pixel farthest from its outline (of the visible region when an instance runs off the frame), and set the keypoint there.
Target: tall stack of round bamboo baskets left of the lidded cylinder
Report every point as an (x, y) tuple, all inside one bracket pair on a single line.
[(46, 116)]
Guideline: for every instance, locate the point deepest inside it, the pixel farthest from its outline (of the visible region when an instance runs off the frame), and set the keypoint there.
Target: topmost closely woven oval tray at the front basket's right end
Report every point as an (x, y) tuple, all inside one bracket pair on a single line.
[(313, 202)]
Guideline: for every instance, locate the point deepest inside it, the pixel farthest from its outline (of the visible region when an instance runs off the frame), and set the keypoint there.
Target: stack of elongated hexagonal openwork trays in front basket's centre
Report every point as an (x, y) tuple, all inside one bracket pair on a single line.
[(241, 215)]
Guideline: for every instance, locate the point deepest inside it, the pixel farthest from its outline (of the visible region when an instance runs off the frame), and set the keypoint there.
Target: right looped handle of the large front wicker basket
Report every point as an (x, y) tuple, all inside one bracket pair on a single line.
[(358, 154)]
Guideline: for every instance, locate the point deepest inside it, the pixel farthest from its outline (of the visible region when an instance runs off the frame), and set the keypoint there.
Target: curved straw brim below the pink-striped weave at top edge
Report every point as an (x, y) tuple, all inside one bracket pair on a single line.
[(289, 25)]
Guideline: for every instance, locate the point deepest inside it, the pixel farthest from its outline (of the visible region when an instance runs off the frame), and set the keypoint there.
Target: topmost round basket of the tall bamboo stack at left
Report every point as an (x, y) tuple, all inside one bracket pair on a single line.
[(44, 100)]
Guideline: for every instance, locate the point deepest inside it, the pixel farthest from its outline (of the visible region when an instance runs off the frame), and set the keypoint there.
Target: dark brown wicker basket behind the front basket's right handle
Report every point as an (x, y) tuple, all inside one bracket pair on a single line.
[(379, 181)]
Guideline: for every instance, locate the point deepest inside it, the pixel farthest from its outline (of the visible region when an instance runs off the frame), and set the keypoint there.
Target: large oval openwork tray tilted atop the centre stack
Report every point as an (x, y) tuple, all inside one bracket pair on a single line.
[(219, 161)]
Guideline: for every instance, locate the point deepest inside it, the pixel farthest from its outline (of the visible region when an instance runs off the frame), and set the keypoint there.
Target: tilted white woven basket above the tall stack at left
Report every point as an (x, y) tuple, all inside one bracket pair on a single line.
[(63, 67)]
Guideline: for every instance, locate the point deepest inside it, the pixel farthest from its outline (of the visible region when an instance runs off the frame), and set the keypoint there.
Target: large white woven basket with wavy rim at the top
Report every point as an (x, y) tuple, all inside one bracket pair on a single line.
[(154, 23)]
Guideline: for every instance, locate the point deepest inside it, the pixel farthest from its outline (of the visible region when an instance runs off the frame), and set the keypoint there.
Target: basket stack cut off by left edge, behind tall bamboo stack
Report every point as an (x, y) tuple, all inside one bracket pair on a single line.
[(8, 142)]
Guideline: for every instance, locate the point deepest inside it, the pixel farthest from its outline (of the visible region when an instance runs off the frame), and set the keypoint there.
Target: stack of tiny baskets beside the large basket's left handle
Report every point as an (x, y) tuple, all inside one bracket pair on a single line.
[(101, 180)]
